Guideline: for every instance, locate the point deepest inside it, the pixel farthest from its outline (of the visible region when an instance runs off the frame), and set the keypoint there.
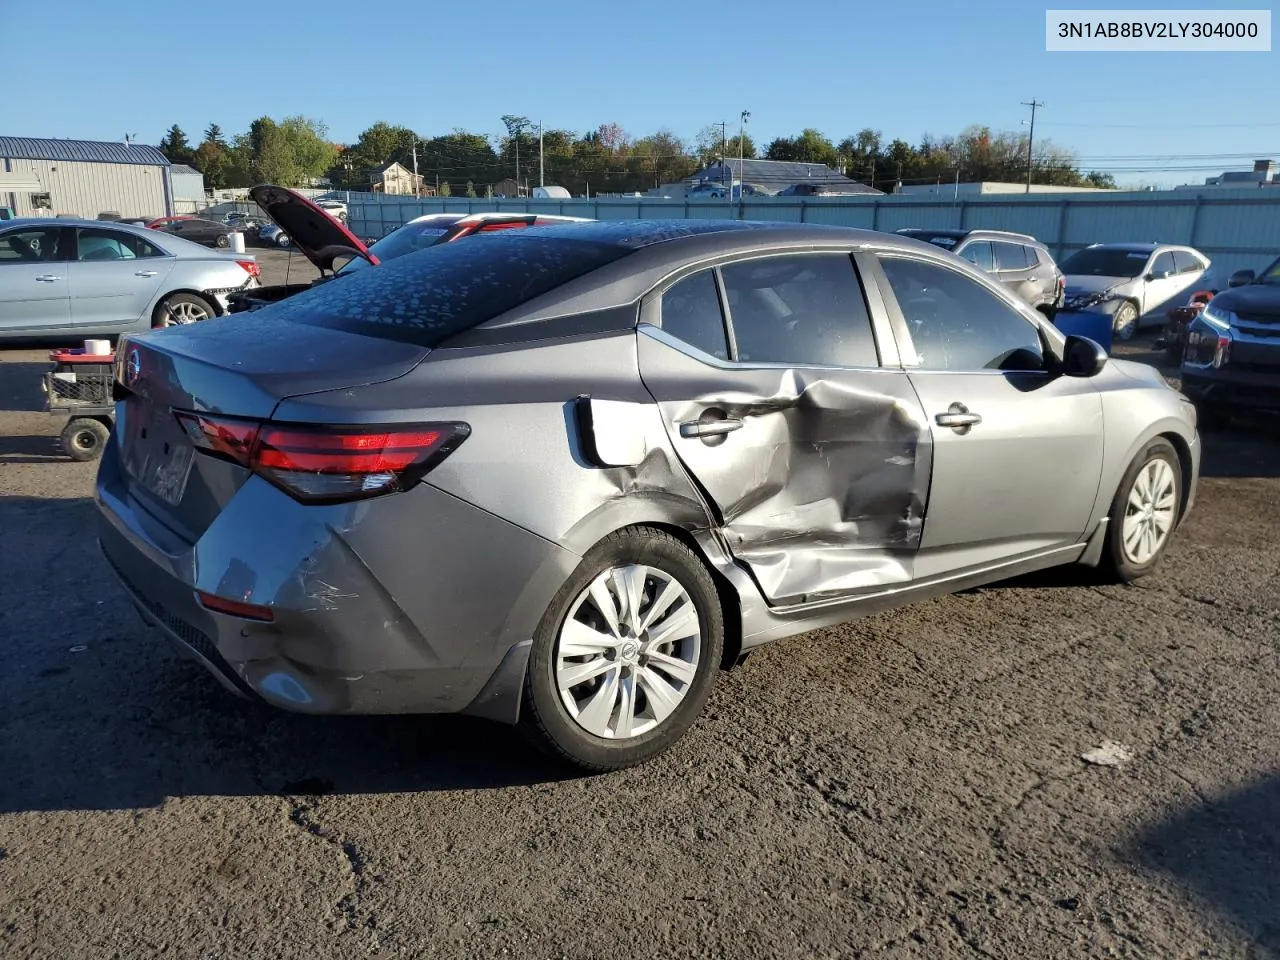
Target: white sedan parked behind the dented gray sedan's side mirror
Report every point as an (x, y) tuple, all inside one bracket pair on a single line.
[(1133, 282)]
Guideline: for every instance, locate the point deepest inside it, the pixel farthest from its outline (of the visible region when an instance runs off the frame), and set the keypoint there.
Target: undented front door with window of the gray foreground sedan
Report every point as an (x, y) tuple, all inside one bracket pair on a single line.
[(1017, 450)]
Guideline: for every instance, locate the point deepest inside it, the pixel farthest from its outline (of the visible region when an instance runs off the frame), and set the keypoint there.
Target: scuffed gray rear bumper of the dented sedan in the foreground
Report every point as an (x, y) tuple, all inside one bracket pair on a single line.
[(376, 611)]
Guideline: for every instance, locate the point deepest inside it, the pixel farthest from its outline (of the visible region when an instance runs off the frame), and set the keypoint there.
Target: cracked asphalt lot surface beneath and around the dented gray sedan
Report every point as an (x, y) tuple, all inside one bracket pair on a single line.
[(909, 785)]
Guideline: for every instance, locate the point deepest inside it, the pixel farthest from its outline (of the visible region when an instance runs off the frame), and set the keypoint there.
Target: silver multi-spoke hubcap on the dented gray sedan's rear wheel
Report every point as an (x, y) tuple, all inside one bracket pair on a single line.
[(628, 653)]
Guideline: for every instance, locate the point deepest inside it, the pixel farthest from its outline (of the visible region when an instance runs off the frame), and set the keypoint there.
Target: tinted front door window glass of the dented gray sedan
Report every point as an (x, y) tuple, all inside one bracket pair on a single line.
[(958, 324)]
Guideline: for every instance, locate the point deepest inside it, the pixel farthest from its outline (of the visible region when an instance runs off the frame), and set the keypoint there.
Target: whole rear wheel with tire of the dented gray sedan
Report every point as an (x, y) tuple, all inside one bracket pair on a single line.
[(625, 657)]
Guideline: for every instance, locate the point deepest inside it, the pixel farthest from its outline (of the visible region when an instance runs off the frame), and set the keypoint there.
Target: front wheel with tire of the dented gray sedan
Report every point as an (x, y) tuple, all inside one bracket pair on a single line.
[(1145, 513)]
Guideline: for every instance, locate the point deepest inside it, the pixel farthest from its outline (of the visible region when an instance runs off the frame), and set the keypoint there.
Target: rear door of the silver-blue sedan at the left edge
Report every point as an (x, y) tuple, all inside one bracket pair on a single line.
[(115, 277)]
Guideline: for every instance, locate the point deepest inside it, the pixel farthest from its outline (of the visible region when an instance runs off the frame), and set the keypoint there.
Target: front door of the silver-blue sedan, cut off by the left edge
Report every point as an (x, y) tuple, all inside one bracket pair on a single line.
[(34, 280)]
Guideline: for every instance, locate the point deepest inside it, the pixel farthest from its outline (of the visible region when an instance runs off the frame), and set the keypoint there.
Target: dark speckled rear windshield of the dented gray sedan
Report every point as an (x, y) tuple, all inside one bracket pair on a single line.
[(432, 295)]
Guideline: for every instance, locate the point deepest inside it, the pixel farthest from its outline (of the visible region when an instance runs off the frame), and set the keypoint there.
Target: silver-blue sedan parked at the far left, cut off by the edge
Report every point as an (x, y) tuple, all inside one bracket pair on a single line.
[(88, 278)]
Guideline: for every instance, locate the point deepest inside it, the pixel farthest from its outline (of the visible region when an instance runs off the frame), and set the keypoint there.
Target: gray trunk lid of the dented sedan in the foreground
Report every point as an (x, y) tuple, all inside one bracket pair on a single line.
[(239, 367)]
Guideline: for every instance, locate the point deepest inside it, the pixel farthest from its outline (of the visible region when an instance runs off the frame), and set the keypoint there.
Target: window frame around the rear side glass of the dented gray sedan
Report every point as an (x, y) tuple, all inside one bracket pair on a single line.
[(883, 335)]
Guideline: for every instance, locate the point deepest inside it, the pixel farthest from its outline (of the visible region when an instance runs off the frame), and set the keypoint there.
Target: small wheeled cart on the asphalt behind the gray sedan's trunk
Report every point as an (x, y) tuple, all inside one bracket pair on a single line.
[(80, 388)]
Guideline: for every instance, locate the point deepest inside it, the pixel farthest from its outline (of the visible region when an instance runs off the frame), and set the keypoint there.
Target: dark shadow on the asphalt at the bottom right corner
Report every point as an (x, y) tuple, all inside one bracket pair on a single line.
[(1224, 852)]
